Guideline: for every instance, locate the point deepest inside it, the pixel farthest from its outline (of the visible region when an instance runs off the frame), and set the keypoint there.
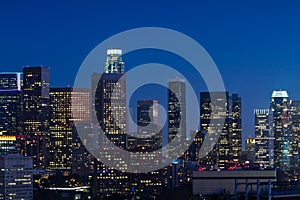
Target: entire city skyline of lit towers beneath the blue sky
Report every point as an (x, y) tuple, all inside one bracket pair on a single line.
[(48, 135)]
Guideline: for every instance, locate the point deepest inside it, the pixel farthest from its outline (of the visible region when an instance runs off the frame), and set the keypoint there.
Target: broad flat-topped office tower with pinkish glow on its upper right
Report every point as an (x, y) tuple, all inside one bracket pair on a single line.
[(62, 124)]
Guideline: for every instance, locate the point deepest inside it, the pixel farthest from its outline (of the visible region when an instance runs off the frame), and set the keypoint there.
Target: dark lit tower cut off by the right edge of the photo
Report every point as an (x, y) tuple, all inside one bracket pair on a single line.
[(295, 113)]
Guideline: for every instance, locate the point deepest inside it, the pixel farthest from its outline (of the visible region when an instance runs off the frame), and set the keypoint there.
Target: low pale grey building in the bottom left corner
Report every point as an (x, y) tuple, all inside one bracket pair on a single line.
[(16, 177)]
